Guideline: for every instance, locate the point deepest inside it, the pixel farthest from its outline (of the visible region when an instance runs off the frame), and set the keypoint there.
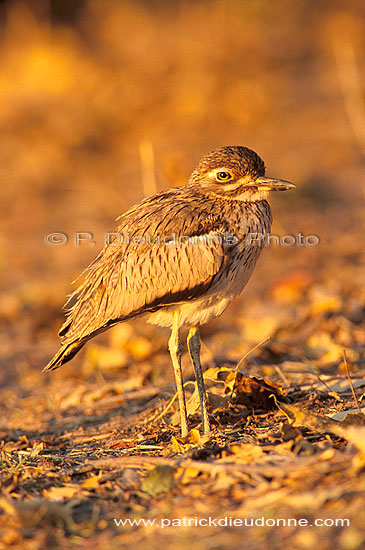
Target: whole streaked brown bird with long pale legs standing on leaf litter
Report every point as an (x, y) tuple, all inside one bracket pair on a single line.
[(178, 259)]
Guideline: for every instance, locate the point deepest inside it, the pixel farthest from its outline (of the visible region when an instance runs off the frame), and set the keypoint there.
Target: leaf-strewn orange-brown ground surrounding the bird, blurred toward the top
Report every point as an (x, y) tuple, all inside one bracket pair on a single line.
[(102, 103)]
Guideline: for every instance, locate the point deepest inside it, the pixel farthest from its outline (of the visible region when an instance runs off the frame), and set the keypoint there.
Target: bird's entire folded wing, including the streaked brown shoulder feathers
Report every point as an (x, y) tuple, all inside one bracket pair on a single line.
[(162, 260)]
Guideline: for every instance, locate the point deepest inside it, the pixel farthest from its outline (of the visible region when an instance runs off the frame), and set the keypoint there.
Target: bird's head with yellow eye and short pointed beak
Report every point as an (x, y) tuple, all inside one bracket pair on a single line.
[(236, 172)]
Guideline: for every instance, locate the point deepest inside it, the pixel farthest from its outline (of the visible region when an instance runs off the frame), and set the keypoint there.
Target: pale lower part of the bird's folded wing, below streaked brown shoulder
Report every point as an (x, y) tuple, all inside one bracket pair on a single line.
[(126, 282)]
